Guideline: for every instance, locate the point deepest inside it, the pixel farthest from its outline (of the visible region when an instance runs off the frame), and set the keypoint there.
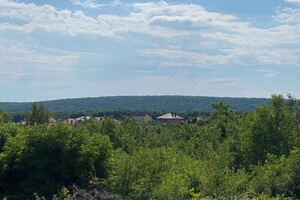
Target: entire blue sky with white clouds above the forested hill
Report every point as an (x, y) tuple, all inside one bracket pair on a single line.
[(54, 49)]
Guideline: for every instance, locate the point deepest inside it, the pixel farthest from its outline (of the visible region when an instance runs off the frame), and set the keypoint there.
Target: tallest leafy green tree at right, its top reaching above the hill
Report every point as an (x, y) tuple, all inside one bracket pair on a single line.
[(268, 130)]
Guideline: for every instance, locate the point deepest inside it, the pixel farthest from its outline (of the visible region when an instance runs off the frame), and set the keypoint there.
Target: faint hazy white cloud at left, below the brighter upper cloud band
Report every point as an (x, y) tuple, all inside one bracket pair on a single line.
[(16, 55)]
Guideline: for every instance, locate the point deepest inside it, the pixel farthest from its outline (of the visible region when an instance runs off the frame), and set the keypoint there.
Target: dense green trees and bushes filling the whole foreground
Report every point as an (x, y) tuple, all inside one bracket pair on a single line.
[(228, 156)]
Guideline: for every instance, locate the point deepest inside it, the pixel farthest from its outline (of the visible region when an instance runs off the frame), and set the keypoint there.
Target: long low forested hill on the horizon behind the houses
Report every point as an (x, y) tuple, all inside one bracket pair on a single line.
[(138, 103)]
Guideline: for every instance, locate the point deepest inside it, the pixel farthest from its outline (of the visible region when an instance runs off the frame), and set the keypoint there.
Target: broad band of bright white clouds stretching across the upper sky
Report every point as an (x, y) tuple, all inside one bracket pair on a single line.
[(175, 24)]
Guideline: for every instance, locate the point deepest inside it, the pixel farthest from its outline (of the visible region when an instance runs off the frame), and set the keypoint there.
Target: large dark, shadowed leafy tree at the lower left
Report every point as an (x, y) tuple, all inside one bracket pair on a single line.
[(43, 159)]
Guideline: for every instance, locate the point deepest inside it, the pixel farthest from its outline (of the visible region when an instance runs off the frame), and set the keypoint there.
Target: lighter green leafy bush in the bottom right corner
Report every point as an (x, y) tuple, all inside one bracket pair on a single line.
[(279, 176)]
